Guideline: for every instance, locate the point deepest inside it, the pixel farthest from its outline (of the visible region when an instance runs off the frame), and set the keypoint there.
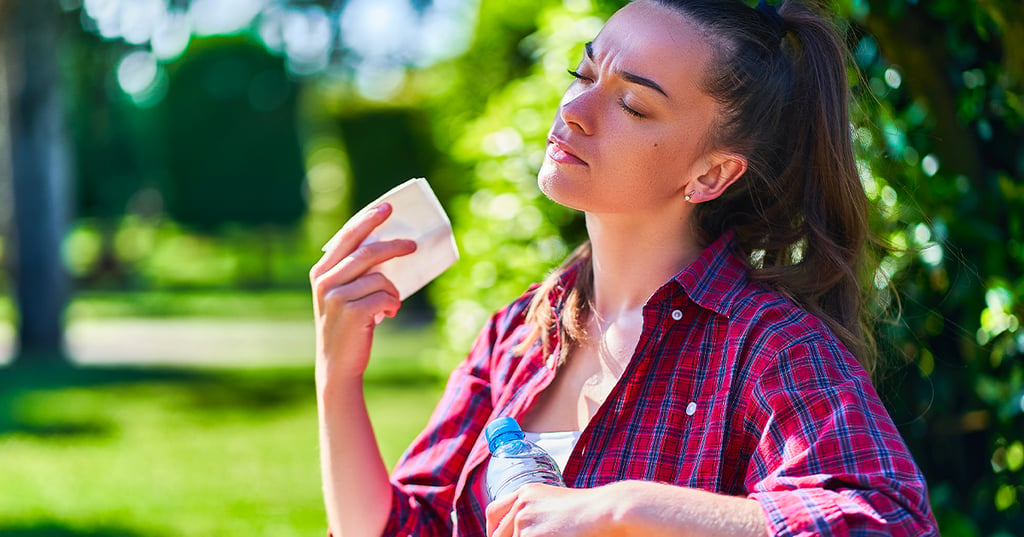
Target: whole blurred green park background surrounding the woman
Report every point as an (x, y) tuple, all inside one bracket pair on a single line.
[(170, 169)]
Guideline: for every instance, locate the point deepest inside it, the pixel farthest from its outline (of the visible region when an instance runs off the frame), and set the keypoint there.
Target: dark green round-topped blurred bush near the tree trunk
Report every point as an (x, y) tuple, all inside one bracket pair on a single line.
[(232, 139)]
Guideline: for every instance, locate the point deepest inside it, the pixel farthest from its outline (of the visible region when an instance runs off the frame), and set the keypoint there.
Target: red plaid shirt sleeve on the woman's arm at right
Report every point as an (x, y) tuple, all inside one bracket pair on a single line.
[(830, 461)]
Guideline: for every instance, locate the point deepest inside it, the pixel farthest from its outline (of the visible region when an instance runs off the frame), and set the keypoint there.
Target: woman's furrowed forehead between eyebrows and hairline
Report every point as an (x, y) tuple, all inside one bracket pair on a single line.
[(655, 42)]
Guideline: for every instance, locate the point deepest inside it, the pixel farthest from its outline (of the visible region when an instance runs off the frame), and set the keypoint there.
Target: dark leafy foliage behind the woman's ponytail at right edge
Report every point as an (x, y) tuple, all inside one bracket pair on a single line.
[(943, 154)]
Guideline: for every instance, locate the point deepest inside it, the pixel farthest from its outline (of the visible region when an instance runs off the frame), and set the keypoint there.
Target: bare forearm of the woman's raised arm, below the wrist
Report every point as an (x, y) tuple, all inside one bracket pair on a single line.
[(357, 490)]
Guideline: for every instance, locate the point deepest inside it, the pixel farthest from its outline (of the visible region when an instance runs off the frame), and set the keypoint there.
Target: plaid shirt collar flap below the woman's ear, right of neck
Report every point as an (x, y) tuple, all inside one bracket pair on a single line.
[(716, 278)]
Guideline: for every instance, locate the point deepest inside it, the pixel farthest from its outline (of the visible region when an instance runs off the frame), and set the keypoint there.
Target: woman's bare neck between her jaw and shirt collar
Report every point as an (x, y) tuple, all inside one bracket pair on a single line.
[(634, 257)]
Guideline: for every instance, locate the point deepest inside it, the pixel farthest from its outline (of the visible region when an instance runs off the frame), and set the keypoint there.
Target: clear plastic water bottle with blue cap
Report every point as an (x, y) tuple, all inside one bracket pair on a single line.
[(516, 462)]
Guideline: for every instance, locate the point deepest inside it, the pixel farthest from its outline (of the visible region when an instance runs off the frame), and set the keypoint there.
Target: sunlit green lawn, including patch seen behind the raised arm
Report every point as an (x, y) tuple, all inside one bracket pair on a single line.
[(184, 452)]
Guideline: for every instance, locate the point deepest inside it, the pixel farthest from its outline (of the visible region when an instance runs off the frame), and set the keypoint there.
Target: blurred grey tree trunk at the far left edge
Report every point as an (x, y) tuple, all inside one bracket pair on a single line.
[(39, 171)]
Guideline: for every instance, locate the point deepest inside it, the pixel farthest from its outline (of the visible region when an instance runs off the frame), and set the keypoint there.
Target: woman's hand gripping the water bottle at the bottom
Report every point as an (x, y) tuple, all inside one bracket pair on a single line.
[(536, 511)]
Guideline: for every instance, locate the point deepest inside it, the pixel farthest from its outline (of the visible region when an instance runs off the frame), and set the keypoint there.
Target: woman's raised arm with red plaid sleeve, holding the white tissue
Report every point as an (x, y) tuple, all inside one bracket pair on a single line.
[(418, 499)]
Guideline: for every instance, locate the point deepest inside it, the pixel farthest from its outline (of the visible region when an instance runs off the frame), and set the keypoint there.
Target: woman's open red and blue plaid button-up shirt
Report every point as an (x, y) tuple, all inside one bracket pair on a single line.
[(733, 390)]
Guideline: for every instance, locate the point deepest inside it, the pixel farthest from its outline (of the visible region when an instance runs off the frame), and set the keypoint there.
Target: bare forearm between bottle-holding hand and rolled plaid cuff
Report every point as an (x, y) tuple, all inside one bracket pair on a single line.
[(654, 510)]
